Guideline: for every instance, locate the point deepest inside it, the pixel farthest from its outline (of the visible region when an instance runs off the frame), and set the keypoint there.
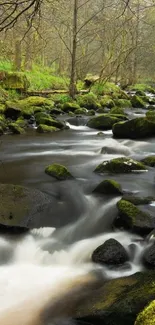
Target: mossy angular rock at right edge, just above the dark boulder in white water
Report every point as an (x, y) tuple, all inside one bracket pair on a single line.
[(133, 218)]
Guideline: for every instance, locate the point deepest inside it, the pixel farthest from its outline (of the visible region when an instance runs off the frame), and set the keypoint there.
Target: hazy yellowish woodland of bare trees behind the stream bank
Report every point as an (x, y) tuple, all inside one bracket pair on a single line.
[(111, 39)]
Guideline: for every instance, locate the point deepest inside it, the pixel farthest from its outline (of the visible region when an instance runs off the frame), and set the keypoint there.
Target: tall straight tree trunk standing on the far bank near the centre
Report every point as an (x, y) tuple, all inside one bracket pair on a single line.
[(72, 87)]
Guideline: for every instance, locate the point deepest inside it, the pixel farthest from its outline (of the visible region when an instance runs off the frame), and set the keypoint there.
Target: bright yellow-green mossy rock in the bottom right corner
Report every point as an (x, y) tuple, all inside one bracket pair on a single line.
[(147, 316)]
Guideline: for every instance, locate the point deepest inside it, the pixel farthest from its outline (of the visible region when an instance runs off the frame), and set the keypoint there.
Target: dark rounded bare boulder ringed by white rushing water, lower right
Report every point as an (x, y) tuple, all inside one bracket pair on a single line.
[(110, 253)]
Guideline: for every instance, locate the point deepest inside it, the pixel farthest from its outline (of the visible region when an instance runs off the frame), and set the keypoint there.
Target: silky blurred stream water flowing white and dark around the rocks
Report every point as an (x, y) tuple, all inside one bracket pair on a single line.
[(43, 265)]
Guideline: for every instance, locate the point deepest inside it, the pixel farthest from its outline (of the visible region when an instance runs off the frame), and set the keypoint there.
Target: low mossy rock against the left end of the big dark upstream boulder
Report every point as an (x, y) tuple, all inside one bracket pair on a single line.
[(103, 122)]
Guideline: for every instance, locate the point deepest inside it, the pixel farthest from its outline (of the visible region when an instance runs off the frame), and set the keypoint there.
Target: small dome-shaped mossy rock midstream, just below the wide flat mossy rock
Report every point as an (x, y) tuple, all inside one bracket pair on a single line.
[(108, 187)]
